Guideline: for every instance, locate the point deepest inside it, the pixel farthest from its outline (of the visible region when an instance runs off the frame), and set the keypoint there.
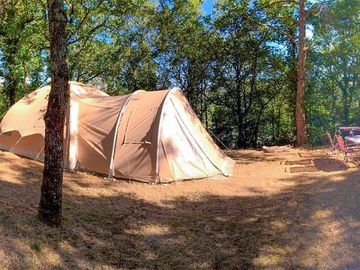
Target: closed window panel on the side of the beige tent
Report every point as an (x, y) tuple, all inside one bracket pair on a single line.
[(138, 127)]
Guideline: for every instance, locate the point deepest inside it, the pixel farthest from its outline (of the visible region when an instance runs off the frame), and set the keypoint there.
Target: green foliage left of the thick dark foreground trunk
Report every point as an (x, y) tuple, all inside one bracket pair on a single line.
[(22, 59)]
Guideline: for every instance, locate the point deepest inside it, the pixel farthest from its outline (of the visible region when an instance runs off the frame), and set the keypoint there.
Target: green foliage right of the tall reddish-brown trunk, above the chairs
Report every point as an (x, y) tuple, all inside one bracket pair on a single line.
[(334, 70)]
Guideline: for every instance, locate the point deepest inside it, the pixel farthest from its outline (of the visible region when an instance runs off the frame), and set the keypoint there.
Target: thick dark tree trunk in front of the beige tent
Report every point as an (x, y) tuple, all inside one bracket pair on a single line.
[(50, 206)]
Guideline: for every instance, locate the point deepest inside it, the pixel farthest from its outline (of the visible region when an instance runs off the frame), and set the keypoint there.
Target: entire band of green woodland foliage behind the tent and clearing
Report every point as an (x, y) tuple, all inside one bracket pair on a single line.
[(237, 66)]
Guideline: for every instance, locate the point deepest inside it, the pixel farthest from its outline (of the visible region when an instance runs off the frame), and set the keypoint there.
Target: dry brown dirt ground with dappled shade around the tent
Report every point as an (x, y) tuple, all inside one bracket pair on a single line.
[(264, 217)]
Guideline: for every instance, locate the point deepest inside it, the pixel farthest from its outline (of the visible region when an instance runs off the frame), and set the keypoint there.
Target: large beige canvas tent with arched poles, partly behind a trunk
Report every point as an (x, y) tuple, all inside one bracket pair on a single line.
[(148, 136)]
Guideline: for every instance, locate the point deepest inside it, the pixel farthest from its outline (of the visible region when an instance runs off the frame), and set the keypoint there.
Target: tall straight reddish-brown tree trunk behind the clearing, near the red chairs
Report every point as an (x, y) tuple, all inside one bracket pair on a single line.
[(300, 91)]
